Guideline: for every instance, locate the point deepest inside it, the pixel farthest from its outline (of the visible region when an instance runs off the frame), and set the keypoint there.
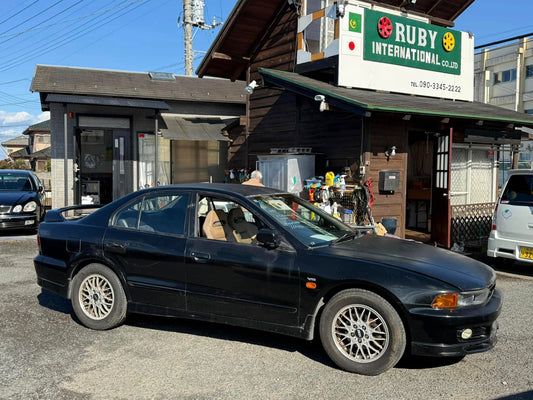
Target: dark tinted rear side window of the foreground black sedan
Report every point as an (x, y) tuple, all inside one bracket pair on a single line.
[(159, 212)]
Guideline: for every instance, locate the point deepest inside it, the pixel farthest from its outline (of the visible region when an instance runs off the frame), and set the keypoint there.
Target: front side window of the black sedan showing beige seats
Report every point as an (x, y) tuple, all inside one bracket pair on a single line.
[(225, 220)]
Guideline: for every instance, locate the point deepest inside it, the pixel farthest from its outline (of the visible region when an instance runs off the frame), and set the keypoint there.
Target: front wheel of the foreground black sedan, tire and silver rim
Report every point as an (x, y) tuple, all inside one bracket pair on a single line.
[(356, 343)]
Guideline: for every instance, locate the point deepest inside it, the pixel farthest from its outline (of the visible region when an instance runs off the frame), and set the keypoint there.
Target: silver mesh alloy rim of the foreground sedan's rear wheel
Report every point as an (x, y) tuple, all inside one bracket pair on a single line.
[(96, 297)]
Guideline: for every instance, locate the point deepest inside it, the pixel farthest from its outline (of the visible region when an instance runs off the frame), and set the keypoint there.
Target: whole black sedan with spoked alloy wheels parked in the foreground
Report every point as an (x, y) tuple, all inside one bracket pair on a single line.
[(255, 257)]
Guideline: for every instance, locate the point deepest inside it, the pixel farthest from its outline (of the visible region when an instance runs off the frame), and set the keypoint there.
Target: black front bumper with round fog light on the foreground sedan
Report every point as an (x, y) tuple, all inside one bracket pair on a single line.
[(438, 332)]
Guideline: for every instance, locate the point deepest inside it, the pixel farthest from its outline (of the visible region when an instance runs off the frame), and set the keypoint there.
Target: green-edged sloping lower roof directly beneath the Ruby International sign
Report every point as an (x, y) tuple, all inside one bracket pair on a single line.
[(364, 102)]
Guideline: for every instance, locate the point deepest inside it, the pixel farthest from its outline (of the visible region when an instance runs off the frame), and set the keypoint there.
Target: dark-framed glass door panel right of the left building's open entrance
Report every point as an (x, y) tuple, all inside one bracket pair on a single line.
[(122, 163)]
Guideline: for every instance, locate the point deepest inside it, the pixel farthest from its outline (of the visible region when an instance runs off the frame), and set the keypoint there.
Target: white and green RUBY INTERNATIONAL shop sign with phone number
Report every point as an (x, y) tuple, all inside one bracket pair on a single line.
[(382, 49)]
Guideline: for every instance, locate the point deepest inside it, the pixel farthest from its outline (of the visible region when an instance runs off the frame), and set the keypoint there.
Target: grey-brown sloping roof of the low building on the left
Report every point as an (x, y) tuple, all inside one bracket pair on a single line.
[(100, 82)]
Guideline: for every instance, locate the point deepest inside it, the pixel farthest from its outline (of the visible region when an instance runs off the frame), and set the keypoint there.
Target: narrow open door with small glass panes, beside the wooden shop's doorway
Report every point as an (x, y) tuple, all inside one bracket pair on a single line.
[(440, 195)]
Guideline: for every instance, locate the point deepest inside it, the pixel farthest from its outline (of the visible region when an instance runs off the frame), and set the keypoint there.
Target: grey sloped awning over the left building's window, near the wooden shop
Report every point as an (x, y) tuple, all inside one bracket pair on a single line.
[(176, 127)]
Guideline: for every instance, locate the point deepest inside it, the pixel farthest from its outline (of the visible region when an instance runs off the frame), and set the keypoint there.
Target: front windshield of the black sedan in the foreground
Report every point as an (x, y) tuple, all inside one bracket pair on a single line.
[(309, 224)]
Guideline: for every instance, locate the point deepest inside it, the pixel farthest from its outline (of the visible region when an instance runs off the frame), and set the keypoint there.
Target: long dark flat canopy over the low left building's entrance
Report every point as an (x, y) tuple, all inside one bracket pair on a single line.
[(106, 101)]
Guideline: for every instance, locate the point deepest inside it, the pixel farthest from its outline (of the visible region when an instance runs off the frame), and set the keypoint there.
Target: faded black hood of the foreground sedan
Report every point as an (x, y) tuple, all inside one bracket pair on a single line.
[(455, 269)]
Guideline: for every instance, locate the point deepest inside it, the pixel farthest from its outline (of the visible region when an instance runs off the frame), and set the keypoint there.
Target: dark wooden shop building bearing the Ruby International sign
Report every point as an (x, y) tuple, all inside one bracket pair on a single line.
[(376, 89)]
